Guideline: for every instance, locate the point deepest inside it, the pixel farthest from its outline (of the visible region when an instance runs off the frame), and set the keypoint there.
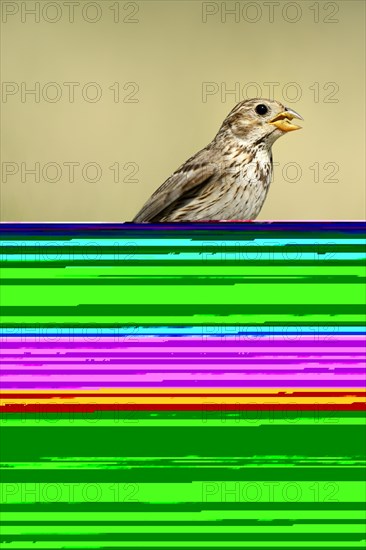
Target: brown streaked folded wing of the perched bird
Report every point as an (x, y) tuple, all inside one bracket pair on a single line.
[(190, 176)]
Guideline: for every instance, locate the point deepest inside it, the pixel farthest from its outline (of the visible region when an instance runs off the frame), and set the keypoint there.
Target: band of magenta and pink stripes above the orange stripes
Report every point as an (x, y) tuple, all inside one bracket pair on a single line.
[(184, 362)]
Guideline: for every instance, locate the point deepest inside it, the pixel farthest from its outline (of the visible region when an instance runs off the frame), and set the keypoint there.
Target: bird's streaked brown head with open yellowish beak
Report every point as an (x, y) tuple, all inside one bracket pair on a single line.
[(256, 120)]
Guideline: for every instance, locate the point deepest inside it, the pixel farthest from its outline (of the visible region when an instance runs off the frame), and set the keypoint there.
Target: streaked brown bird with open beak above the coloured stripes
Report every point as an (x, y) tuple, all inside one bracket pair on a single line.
[(229, 178)]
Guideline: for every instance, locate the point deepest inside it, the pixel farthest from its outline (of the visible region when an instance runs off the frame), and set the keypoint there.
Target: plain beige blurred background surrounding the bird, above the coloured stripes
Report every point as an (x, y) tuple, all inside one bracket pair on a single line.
[(169, 53)]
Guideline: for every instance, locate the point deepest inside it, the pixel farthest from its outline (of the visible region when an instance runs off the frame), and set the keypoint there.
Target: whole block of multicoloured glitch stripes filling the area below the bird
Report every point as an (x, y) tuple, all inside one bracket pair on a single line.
[(183, 385)]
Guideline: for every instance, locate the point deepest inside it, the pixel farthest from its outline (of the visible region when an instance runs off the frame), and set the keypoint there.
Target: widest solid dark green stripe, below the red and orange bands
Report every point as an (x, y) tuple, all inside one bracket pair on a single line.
[(290, 440)]
